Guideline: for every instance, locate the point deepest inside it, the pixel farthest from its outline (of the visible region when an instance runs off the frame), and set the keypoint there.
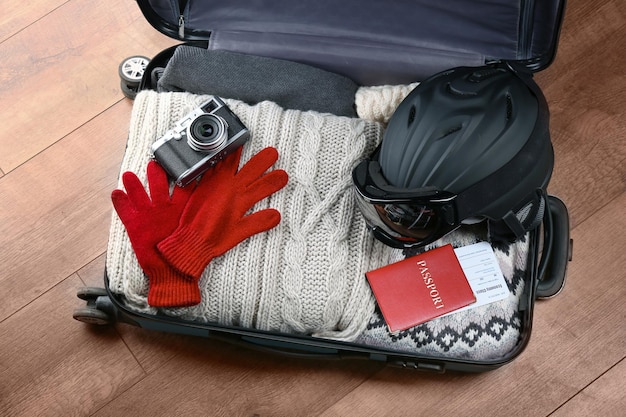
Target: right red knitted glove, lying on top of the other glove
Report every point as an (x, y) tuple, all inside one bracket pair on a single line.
[(215, 219)]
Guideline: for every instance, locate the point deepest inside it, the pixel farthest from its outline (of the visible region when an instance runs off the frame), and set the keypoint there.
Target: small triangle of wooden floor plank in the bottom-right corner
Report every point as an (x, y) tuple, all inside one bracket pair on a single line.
[(604, 397)]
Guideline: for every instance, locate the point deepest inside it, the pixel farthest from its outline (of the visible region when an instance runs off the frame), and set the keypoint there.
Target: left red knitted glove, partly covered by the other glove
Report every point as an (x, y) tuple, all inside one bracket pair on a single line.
[(148, 220)]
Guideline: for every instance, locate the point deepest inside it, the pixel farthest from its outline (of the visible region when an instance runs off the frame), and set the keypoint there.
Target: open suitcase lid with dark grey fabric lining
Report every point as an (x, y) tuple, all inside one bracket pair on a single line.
[(375, 42)]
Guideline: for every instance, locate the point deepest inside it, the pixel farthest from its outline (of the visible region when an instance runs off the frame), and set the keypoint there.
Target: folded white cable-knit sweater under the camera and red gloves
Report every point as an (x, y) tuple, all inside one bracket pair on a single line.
[(307, 274)]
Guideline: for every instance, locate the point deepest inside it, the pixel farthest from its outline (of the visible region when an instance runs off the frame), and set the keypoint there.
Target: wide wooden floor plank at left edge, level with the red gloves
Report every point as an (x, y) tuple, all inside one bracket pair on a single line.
[(56, 208)]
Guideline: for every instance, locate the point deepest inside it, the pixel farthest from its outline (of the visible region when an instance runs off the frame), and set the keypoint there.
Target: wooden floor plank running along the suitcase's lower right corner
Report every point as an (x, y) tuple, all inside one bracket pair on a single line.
[(577, 336)]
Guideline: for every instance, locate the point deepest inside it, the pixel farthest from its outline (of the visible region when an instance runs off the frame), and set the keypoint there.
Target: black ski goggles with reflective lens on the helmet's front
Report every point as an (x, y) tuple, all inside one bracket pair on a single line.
[(403, 218)]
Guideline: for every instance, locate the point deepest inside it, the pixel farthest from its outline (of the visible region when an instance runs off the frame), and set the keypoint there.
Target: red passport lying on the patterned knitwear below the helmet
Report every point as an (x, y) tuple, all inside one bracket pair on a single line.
[(420, 288)]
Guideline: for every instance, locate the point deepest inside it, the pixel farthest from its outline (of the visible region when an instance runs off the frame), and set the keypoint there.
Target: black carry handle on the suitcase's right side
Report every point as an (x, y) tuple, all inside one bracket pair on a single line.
[(557, 251)]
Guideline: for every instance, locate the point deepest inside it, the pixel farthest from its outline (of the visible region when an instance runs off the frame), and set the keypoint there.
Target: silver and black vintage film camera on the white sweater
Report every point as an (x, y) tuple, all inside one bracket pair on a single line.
[(199, 140)]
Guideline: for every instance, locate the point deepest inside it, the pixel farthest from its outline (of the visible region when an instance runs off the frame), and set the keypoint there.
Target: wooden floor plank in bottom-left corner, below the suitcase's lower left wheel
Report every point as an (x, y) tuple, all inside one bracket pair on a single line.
[(53, 365)]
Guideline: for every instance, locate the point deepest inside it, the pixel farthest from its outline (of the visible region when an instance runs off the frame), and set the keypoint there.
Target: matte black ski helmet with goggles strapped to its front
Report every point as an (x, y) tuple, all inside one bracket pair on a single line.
[(474, 138)]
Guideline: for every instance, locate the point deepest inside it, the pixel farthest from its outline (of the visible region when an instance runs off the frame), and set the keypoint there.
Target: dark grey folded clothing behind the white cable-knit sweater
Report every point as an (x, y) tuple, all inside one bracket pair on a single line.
[(253, 79)]
